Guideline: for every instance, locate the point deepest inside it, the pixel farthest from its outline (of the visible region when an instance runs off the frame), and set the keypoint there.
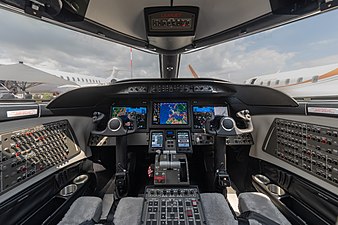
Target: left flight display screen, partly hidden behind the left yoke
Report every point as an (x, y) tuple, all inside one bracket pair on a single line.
[(125, 114)]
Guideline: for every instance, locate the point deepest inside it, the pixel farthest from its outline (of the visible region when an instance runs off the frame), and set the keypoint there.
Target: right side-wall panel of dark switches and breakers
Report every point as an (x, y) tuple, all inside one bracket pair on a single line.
[(311, 147)]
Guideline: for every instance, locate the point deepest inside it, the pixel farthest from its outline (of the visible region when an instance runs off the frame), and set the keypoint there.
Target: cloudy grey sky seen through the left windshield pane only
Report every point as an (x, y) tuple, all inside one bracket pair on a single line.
[(43, 45)]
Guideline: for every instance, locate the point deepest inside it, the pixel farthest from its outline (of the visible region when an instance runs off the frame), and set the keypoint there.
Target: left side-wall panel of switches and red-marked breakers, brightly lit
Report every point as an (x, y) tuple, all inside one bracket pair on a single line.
[(25, 153)]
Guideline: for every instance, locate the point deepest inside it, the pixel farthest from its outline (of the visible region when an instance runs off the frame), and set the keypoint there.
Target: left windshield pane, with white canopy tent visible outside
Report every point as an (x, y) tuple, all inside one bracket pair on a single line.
[(64, 58)]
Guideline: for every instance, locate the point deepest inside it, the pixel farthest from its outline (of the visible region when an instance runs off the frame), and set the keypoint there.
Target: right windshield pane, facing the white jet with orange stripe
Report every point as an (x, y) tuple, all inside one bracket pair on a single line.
[(300, 58)]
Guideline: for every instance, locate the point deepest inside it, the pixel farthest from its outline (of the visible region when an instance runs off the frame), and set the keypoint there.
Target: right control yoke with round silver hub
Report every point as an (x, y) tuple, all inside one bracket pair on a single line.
[(227, 125)]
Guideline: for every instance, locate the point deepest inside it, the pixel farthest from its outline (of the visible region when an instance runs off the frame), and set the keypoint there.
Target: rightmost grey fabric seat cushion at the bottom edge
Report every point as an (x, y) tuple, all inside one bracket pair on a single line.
[(260, 203)]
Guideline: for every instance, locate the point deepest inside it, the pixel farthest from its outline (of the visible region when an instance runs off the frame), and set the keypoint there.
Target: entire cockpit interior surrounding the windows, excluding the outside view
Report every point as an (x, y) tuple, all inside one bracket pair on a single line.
[(169, 151)]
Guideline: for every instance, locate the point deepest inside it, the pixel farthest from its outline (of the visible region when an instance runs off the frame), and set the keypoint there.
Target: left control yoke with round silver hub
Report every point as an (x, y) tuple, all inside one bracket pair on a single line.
[(115, 128)]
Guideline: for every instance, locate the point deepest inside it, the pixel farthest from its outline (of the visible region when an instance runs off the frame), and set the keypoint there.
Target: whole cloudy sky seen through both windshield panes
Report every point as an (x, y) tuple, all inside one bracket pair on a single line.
[(307, 43)]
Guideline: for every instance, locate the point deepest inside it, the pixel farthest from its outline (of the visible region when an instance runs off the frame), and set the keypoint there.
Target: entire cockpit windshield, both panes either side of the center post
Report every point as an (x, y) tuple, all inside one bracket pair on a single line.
[(300, 59)]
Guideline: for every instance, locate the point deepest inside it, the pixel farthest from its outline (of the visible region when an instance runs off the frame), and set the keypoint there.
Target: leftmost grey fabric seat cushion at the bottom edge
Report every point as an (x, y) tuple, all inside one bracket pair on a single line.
[(83, 209)]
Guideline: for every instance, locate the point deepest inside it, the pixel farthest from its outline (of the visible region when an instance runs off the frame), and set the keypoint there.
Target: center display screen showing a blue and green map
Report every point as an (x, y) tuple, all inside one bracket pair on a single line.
[(170, 113)]
